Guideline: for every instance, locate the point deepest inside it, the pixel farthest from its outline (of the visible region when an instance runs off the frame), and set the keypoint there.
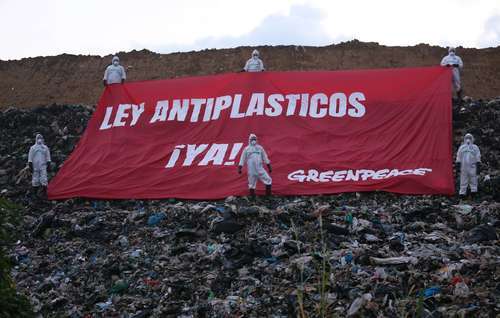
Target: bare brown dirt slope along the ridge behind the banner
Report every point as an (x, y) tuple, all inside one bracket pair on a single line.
[(71, 79)]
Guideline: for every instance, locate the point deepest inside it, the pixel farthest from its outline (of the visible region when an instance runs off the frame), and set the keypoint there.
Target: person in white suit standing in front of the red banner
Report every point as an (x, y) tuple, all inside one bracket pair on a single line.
[(254, 156)]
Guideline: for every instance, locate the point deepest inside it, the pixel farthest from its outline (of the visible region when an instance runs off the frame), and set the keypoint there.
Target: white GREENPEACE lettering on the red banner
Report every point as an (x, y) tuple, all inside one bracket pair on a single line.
[(353, 175)]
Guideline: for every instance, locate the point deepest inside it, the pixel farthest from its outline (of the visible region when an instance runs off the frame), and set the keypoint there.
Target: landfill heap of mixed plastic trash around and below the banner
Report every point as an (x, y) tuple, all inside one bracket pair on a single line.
[(355, 254)]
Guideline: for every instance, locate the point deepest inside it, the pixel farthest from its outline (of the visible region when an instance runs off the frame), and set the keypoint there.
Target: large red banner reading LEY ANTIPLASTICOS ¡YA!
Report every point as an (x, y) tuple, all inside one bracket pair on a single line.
[(324, 132)]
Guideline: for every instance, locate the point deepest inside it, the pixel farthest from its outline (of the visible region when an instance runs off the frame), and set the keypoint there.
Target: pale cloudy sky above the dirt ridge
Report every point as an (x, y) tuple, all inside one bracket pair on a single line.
[(101, 27)]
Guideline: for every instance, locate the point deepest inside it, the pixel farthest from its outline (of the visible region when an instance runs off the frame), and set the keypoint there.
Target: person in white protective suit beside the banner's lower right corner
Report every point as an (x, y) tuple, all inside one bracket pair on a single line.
[(468, 155)]
